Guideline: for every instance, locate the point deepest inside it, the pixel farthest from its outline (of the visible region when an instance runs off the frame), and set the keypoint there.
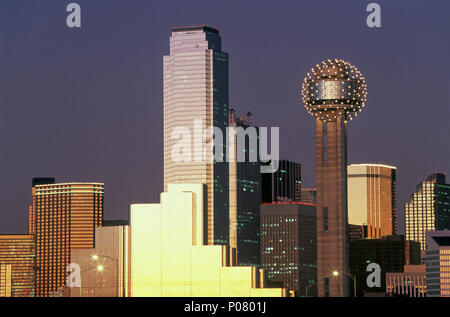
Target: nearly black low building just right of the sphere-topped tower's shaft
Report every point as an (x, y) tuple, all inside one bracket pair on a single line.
[(391, 253)]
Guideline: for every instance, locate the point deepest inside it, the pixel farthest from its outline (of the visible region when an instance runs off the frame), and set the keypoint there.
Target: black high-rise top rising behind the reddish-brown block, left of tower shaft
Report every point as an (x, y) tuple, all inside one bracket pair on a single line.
[(285, 184)]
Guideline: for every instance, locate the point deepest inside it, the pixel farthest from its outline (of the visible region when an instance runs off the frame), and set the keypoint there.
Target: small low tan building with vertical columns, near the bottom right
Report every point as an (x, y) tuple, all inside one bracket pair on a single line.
[(411, 282)]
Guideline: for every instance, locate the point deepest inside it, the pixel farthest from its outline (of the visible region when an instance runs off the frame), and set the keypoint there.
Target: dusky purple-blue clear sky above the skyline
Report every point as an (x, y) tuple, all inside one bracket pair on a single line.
[(86, 104)]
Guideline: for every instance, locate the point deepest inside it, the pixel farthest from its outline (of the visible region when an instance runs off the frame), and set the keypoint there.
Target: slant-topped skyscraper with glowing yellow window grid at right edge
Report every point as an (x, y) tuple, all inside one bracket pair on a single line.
[(428, 208)]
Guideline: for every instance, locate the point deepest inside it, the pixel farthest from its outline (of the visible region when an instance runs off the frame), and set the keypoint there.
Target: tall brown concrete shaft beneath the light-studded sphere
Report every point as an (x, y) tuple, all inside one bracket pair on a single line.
[(331, 180)]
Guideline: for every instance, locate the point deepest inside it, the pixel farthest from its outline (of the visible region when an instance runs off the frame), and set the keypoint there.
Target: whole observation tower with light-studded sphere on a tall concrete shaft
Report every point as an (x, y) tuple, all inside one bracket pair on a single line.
[(333, 92)]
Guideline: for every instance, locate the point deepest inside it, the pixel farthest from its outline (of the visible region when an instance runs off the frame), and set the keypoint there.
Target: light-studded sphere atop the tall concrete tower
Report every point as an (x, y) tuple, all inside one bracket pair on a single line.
[(333, 88)]
